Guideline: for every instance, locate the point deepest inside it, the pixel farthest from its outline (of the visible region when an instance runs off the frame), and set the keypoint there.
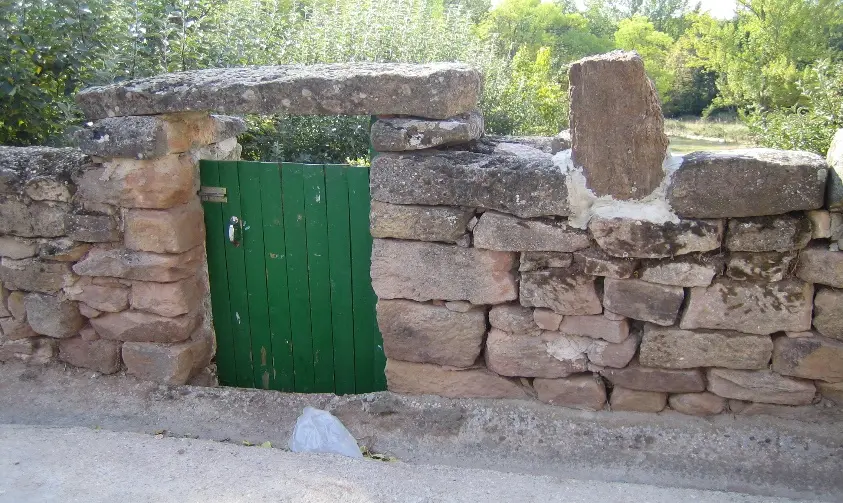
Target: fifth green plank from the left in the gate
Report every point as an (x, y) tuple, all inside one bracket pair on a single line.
[(292, 193)]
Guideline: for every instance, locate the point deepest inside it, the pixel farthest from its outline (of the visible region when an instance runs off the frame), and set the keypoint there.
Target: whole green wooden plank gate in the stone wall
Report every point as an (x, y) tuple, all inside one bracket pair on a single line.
[(289, 251)]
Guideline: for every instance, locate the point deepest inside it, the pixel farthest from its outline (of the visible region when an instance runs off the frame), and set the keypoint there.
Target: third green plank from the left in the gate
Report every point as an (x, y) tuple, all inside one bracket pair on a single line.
[(253, 250)]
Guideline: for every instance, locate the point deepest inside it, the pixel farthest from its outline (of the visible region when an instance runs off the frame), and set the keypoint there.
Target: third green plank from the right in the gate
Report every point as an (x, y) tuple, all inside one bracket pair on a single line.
[(318, 262)]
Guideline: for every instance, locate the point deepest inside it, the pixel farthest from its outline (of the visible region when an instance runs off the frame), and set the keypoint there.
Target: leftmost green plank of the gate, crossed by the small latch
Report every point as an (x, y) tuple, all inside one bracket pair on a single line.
[(218, 277)]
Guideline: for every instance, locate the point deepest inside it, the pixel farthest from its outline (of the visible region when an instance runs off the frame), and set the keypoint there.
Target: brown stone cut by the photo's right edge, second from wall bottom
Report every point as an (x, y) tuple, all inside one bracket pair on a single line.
[(809, 358)]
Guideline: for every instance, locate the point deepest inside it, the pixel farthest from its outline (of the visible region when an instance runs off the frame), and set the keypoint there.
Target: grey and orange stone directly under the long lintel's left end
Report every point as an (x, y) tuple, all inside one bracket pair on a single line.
[(148, 137)]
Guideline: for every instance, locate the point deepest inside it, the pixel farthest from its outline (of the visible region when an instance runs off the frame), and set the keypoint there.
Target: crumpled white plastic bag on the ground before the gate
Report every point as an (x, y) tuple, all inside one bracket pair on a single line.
[(319, 431)]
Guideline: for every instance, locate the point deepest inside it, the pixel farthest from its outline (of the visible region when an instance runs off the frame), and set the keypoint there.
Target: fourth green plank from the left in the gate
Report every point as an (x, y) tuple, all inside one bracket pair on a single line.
[(276, 278)]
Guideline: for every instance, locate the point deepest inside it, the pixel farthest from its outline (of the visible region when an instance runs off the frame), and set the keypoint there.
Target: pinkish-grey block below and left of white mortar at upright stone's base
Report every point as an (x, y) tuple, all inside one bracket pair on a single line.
[(497, 231)]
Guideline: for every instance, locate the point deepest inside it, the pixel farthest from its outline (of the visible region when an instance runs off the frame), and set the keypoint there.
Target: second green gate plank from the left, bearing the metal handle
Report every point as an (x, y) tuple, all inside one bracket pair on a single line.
[(236, 263)]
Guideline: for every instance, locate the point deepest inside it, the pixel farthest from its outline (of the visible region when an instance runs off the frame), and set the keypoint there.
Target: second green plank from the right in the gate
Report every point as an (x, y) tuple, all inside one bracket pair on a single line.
[(339, 243)]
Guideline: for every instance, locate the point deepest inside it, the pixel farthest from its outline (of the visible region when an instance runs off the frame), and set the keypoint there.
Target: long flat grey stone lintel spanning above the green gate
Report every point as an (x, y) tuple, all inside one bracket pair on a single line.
[(436, 91)]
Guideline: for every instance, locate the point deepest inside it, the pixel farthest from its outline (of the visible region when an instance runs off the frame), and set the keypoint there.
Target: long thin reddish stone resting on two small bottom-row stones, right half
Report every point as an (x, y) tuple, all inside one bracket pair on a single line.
[(634, 376)]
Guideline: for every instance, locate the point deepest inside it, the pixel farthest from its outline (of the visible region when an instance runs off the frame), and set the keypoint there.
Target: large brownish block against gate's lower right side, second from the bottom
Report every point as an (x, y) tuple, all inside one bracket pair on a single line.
[(425, 333)]
